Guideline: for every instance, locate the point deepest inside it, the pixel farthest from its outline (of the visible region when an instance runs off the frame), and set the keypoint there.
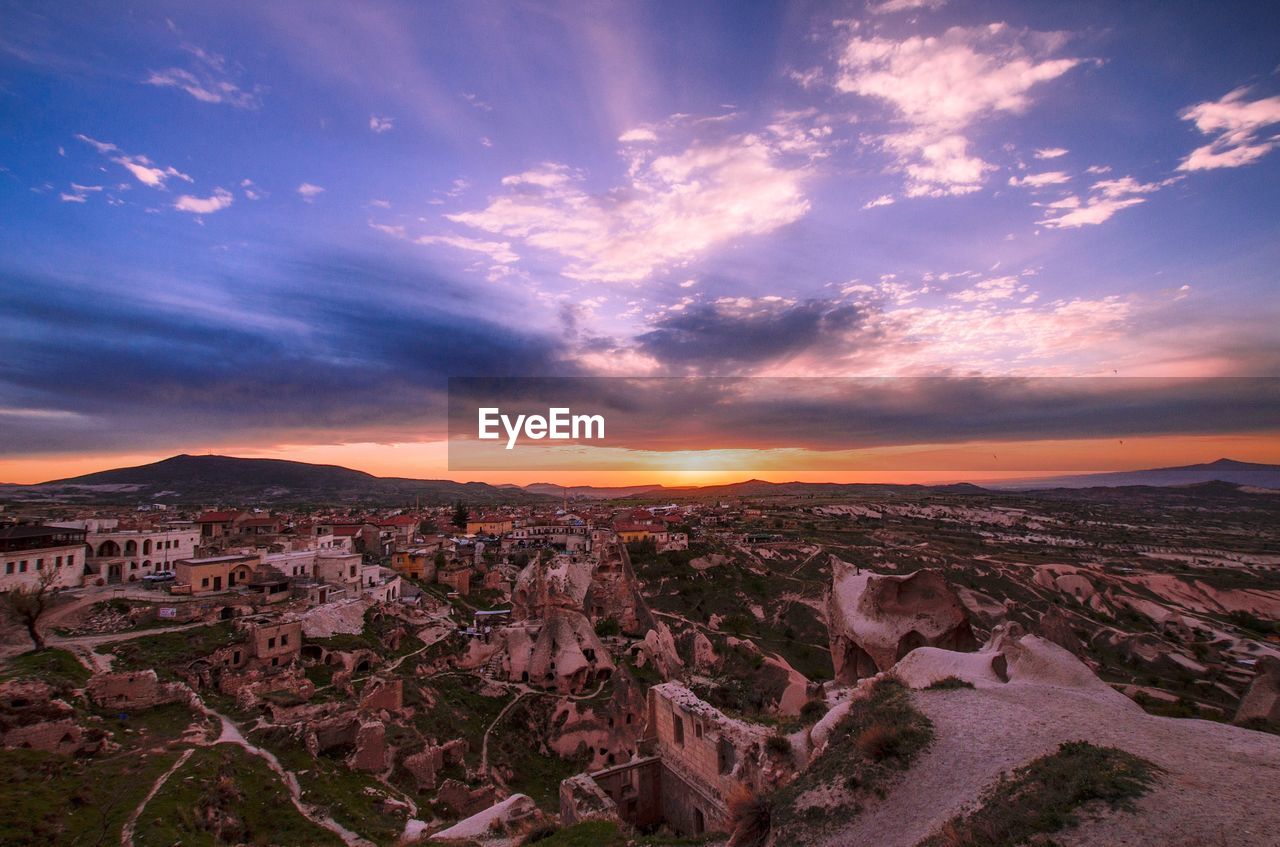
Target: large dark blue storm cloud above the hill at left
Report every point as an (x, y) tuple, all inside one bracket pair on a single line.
[(336, 346)]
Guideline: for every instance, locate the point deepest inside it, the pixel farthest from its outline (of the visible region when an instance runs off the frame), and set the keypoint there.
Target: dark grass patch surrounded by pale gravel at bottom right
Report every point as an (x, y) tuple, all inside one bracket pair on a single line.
[(1045, 796)]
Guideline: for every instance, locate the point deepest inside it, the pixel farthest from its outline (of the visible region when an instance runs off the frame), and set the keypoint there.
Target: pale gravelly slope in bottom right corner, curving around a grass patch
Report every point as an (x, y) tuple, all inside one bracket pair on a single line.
[(1219, 779)]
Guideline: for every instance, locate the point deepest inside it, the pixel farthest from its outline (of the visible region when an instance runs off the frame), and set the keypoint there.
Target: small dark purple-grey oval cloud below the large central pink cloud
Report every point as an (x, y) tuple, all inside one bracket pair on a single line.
[(714, 337)]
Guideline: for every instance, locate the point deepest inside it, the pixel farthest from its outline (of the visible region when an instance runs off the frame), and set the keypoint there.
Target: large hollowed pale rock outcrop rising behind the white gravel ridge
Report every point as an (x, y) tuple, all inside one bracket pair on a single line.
[(876, 620)]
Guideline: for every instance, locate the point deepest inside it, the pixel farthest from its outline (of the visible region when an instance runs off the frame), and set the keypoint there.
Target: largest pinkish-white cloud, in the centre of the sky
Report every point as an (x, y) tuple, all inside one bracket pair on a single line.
[(673, 207)]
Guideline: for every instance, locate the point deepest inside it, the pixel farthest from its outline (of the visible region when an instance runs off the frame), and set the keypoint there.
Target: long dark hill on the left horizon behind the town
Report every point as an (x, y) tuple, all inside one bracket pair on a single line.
[(212, 479)]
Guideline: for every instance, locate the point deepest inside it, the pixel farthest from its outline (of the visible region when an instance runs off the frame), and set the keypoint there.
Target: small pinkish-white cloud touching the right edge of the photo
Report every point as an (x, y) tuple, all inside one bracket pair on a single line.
[(1238, 126)]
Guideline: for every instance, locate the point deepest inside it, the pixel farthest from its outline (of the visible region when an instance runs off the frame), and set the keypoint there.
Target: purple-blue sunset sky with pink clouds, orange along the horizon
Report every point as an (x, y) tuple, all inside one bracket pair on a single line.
[(277, 230)]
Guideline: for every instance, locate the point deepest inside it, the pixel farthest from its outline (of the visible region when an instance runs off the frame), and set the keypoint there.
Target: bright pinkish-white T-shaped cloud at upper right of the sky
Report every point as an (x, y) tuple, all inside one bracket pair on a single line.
[(940, 86)]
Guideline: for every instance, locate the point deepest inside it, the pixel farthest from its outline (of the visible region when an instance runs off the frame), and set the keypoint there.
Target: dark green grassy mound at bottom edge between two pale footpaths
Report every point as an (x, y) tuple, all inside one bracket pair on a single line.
[(226, 796)]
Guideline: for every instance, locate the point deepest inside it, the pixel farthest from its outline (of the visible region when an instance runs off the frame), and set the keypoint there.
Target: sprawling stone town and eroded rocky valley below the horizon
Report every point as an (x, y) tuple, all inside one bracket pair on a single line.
[(644, 666)]
